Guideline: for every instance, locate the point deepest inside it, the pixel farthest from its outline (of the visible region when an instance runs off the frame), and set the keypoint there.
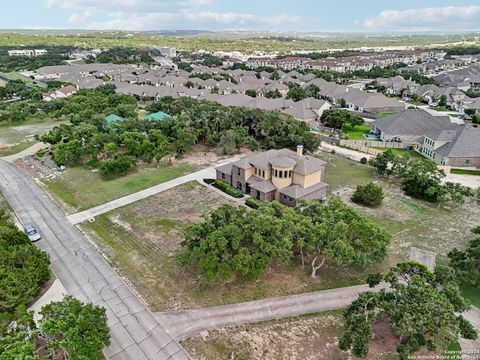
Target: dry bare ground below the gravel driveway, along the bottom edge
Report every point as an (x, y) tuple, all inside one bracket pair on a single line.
[(311, 337)]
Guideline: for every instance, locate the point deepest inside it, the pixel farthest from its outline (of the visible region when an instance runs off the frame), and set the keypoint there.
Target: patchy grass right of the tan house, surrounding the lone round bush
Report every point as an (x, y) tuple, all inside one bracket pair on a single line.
[(412, 222)]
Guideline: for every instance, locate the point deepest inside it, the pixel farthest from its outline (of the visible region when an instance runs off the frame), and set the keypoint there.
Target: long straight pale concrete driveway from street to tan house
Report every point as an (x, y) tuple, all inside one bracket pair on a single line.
[(114, 204)]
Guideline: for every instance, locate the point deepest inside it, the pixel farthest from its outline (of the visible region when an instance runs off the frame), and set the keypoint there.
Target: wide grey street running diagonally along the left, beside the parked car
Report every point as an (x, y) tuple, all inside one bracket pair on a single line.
[(86, 275)]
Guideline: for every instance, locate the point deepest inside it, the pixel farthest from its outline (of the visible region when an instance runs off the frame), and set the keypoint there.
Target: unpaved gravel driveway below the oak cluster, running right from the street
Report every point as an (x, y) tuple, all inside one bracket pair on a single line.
[(183, 324)]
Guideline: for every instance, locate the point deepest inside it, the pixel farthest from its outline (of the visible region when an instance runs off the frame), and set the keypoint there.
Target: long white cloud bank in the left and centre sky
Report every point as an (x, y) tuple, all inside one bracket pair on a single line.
[(161, 14)]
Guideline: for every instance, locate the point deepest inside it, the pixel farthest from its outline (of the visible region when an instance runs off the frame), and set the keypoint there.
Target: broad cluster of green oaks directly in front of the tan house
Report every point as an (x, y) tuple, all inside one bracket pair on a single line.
[(237, 241)]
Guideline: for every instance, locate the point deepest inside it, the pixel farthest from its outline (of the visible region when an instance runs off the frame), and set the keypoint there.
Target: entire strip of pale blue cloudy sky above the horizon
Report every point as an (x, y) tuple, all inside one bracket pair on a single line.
[(275, 15)]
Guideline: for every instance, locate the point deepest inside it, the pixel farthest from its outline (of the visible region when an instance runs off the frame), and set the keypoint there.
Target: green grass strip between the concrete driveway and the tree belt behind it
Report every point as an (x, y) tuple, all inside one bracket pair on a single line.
[(81, 188)]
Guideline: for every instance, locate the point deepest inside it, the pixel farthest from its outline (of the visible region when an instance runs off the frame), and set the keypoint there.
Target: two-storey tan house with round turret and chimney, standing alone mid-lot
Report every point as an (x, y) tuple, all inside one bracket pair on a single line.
[(282, 175)]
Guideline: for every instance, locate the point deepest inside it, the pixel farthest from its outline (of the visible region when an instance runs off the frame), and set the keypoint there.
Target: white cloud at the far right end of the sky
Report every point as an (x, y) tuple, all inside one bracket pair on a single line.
[(426, 19)]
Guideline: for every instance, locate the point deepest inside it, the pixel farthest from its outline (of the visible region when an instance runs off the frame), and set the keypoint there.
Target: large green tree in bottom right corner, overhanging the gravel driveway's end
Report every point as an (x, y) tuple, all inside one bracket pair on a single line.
[(422, 308)]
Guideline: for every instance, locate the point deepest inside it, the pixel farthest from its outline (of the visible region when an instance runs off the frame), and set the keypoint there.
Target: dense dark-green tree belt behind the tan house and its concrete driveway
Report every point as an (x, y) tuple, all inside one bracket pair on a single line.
[(116, 147)]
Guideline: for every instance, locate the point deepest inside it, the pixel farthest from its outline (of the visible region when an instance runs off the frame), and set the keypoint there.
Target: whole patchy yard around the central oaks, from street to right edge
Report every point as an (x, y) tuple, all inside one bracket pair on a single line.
[(143, 239)]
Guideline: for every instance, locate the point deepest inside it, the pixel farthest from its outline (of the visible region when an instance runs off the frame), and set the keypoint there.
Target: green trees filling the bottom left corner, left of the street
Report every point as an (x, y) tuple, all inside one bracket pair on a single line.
[(67, 329)]
